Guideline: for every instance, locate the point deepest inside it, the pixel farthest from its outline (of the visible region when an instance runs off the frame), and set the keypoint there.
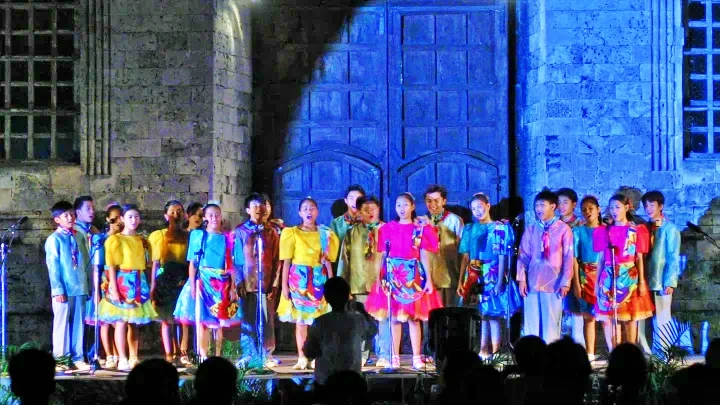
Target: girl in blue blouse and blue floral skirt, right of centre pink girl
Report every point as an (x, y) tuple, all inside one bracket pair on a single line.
[(484, 247)]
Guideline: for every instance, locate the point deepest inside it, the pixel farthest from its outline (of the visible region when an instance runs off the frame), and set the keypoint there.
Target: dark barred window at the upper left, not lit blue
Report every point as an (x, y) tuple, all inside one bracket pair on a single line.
[(38, 114)]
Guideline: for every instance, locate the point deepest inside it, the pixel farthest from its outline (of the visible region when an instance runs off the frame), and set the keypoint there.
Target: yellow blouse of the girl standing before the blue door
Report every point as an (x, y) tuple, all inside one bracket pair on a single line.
[(303, 247)]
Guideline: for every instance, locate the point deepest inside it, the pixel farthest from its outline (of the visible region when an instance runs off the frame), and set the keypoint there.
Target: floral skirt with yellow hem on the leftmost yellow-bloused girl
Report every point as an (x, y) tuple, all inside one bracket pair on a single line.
[(134, 305)]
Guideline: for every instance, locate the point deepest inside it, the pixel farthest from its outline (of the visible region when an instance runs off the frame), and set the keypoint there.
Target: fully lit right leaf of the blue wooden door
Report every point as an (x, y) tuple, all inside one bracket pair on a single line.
[(448, 99)]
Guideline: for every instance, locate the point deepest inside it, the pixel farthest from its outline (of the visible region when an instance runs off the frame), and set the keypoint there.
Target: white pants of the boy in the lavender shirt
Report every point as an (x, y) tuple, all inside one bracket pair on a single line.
[(543, 315)]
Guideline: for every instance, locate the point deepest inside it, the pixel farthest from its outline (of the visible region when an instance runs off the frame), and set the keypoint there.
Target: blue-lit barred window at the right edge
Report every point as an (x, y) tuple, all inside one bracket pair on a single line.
[(701, 71)]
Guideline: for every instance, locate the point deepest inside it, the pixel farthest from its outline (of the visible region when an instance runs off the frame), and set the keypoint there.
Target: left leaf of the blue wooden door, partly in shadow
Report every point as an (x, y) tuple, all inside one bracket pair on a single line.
[(337, 134)]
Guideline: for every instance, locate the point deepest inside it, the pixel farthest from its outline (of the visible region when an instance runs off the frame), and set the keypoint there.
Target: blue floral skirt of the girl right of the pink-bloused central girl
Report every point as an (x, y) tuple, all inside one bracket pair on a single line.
[(496, 305)]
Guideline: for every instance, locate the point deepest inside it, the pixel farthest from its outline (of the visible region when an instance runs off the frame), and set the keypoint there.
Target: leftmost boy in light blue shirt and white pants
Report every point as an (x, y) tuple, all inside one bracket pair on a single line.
[(68, 285)]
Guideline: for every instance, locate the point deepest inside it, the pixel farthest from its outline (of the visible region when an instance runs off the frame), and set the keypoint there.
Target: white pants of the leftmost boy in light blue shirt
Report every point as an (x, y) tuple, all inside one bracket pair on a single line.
[(68, 323)]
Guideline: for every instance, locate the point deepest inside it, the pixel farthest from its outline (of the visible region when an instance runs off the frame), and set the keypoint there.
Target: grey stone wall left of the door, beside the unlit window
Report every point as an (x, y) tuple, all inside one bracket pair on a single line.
[(179, 121)]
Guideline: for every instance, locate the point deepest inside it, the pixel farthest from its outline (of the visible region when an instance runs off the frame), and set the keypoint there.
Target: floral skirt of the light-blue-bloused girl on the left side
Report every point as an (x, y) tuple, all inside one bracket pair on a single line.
[(216, 308)]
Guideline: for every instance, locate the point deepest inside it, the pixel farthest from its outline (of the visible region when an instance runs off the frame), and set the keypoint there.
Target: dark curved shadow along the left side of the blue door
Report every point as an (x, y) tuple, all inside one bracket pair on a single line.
[(288, 45)]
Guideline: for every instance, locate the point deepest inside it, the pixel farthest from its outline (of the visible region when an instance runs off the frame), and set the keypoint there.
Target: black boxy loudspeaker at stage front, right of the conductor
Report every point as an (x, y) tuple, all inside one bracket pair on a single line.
[(454, 329)]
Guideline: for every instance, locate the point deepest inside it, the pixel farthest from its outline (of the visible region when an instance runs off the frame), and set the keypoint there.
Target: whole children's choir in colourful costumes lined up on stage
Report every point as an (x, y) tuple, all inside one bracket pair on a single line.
[(195, 274)]
